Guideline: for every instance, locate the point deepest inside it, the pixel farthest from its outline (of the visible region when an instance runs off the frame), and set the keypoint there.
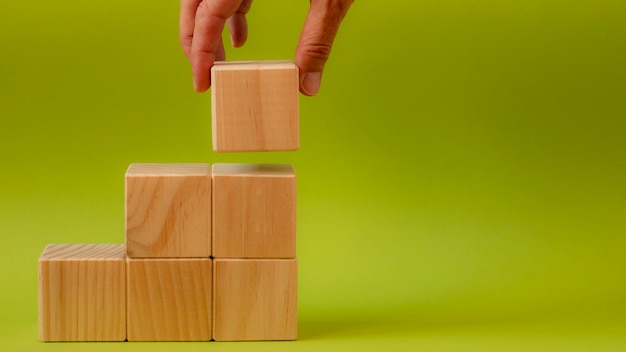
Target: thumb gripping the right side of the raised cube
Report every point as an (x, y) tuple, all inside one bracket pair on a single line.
[(316, 40)]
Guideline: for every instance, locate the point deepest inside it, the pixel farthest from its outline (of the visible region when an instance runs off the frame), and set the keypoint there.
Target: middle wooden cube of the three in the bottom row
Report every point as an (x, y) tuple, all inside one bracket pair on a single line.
[(169, 299)]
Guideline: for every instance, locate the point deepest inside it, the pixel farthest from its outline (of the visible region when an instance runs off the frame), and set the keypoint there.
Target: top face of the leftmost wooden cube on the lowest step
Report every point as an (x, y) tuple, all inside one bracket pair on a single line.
[(83, 252)]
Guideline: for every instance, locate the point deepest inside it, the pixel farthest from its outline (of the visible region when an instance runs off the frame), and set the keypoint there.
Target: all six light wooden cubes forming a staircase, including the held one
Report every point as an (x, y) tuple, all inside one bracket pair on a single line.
[(210, 250)]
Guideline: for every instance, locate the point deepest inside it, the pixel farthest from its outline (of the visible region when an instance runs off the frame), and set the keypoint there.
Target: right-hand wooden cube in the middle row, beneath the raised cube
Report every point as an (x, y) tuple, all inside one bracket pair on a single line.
[(254, 211)]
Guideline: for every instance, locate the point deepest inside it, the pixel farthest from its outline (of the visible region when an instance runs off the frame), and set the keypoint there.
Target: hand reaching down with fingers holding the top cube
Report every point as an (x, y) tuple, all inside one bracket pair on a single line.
[(202, 23)]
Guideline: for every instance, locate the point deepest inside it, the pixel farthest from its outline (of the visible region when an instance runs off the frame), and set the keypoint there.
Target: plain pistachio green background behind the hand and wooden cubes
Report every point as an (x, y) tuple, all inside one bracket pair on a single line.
[(462, 176)]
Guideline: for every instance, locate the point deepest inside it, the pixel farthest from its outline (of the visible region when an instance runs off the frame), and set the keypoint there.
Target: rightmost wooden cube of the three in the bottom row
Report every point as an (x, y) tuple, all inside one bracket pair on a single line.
[(255, 299)]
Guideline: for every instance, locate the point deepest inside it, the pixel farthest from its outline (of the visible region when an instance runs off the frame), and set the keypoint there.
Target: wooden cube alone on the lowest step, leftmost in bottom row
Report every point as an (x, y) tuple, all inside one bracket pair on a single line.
[(82, 293)]
